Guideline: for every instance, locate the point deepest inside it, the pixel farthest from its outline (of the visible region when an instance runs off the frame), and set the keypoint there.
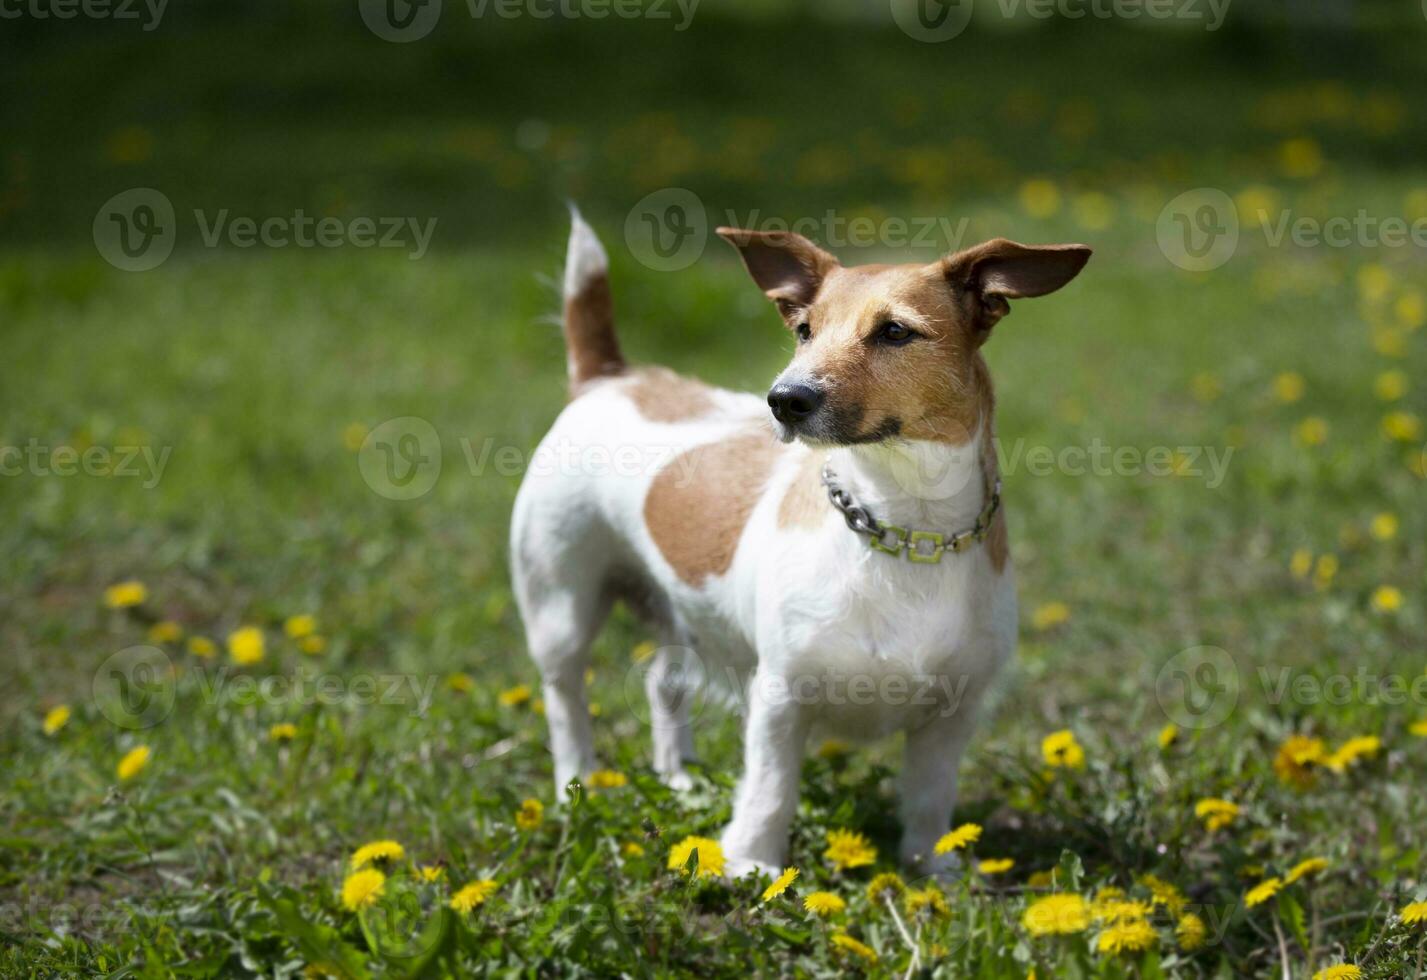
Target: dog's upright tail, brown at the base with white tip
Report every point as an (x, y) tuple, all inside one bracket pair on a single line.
[(591, 349)]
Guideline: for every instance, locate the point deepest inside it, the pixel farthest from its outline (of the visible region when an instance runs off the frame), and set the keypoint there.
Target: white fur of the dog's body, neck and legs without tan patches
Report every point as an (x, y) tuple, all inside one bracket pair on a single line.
[(803, 618)]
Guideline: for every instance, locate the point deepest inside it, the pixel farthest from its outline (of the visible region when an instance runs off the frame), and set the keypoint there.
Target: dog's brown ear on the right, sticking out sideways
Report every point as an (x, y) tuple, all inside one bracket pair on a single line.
[(1001, 270)]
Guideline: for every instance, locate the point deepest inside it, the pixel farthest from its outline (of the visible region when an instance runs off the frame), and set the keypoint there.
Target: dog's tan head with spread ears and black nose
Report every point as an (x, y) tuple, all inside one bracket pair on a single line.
[(891, 352)]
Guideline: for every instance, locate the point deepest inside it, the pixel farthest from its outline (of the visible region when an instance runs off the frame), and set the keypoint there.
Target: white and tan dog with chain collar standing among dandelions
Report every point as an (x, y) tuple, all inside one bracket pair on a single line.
[(838, 548)]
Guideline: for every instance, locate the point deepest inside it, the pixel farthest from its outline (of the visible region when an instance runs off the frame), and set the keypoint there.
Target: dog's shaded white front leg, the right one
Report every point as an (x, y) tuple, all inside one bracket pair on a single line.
[(933, 761)]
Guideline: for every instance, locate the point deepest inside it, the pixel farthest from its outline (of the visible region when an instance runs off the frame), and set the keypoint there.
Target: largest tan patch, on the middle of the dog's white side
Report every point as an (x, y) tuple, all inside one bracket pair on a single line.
[(700, 503)]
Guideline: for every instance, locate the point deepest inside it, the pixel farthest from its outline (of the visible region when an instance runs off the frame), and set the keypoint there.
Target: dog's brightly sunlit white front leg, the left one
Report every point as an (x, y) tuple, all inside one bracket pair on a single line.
[(757, 838)]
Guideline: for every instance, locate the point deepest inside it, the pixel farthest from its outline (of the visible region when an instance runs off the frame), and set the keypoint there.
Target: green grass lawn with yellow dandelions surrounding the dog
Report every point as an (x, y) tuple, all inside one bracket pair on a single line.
[(259, 372)]
